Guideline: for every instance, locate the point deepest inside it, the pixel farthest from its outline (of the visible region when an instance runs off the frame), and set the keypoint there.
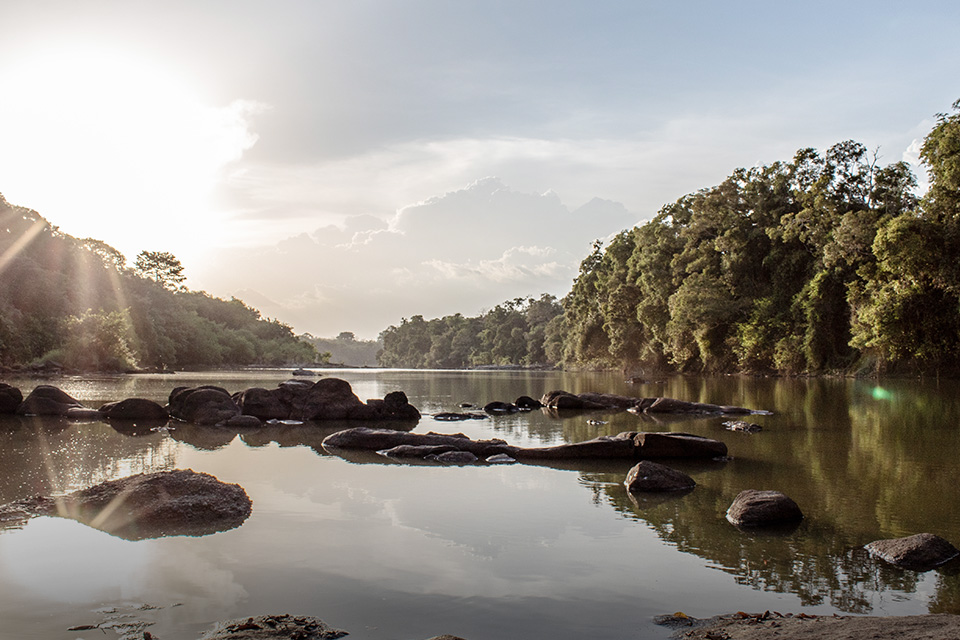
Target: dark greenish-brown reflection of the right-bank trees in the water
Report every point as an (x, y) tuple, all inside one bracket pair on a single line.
[(863, 462)]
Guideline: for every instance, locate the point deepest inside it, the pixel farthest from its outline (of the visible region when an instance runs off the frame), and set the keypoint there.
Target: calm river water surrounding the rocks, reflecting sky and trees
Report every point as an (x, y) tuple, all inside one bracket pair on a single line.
[(393, 551)]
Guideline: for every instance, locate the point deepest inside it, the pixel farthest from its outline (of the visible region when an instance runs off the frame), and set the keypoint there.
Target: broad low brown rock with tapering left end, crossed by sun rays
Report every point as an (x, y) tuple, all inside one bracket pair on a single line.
[(152, 505)]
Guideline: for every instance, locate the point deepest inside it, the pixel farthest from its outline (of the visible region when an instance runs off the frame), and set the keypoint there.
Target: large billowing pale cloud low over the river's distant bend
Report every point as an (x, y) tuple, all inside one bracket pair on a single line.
[(461, 251)]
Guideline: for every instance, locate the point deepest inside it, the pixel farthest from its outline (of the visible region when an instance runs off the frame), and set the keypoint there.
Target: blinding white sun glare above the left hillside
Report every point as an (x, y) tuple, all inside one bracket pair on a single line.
[(112, 144)]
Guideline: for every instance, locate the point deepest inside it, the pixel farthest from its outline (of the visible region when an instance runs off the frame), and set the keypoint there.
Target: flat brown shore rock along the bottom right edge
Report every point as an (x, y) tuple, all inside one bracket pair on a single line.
[(766, 626)]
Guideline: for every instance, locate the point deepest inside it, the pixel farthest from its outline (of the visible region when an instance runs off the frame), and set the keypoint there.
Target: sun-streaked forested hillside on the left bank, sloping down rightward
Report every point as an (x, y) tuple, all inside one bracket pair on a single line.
[(74, 302)]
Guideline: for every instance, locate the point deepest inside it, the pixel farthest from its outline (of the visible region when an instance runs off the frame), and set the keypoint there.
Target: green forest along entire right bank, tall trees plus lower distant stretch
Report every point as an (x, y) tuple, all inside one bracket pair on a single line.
[(825, 263)]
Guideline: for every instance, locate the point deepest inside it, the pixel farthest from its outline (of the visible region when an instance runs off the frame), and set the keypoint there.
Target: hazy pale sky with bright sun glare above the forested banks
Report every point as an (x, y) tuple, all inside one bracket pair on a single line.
[(342, 165)]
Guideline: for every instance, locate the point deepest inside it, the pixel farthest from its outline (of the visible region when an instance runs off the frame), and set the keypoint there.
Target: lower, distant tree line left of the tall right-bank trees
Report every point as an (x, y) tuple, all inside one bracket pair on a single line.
[(514, 332)]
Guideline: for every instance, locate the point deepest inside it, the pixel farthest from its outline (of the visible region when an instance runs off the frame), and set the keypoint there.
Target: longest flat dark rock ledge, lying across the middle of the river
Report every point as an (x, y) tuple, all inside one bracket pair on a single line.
[(627, 445)]
